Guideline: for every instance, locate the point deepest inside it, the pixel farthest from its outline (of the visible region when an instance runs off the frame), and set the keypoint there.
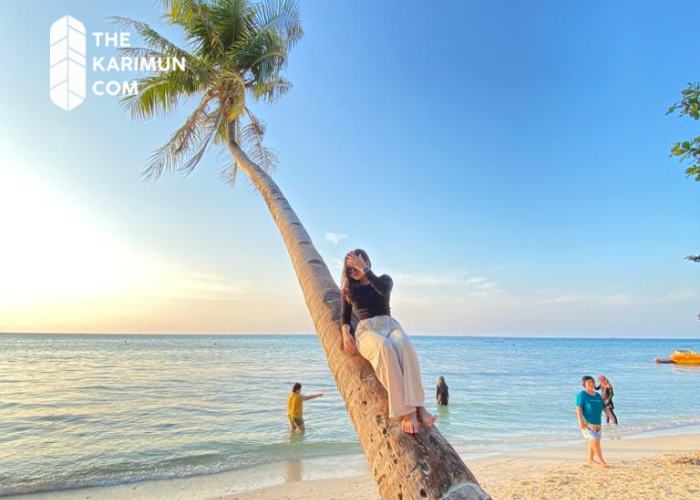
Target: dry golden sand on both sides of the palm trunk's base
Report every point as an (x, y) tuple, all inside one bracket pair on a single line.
[(643, 467)]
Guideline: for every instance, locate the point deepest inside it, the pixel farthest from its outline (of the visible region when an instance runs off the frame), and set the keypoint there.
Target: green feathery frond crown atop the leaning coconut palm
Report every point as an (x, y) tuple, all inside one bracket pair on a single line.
[(235, 52)]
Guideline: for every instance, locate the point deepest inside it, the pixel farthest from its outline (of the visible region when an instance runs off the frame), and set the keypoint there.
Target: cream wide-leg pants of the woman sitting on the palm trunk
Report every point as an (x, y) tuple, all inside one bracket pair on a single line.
[(382, 342)]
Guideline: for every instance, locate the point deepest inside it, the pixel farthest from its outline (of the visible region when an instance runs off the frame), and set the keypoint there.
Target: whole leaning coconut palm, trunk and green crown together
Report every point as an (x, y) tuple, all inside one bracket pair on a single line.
[(236, 51)]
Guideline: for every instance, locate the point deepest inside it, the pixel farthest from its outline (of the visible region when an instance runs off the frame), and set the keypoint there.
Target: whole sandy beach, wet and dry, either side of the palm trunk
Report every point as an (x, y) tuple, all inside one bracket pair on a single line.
[(644, 466)]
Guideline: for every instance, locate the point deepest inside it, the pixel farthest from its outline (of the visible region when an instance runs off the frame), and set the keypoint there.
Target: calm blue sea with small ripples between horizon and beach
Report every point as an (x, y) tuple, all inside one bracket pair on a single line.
[(97, 410)]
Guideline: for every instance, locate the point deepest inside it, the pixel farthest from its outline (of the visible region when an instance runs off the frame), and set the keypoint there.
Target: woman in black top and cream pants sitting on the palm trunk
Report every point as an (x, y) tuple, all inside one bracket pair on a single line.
[(380, 339)]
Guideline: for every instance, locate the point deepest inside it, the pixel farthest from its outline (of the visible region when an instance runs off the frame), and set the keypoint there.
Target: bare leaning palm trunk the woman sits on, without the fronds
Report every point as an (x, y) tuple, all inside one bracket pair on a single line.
[(404, 467)]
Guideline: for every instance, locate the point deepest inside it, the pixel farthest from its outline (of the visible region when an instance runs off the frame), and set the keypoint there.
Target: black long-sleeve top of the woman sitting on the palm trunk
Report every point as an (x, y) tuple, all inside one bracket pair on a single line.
[(368, 300)]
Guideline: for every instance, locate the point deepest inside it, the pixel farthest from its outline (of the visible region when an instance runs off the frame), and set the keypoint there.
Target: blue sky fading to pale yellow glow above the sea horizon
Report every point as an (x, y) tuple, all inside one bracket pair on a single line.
[(506, 162)]
